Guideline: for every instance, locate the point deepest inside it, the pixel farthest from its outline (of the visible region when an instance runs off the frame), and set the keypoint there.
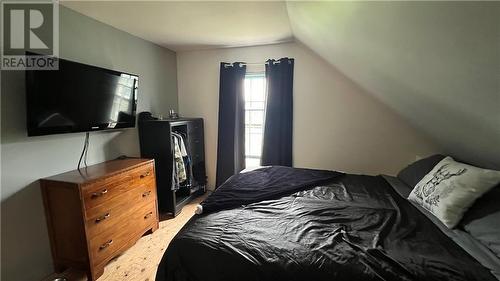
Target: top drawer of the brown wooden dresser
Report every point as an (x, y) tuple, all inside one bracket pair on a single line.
[(100, 192)]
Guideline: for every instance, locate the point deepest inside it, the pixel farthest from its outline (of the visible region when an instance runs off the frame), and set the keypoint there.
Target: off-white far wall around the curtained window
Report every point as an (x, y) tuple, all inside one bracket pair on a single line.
[(337, 125)]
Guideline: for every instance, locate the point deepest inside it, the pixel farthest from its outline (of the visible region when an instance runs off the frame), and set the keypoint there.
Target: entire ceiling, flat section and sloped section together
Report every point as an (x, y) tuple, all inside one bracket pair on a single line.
[(436, 63)]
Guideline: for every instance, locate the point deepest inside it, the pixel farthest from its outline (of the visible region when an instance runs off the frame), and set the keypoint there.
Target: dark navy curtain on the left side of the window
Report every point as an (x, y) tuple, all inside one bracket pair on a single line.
[(231, 136)]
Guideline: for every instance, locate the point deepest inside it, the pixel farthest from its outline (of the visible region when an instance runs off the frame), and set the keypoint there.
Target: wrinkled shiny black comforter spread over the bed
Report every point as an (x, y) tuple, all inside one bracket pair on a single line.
[(352, 228)]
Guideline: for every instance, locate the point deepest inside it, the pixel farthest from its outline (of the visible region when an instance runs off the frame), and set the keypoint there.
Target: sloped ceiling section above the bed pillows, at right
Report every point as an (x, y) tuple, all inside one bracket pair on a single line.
[(436, 63)]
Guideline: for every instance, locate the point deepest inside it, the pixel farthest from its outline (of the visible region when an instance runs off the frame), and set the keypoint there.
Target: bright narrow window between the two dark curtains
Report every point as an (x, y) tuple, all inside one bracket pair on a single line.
[(255, 99)]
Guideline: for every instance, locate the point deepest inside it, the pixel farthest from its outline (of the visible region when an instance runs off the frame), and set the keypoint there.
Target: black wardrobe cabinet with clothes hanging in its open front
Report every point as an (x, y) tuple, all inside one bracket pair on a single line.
[(157, 141)]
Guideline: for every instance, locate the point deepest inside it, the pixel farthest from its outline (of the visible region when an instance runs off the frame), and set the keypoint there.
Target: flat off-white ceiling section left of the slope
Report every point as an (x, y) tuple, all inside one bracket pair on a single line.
[(194, 25)]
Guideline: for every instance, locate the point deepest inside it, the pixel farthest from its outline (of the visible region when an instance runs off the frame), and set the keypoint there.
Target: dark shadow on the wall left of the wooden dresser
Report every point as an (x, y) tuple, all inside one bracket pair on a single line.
[(24, 234)]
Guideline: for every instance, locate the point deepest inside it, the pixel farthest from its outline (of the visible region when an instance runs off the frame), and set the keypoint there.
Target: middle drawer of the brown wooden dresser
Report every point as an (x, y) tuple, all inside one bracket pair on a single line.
[(130, 194)]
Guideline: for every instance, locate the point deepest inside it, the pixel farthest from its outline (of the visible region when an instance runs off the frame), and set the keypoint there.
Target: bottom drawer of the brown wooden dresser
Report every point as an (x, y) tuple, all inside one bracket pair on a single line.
[(106, 244)]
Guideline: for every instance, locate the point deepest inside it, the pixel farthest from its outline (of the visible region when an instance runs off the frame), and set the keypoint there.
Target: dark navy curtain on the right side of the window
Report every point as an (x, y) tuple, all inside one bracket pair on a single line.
[(278, 131)]
